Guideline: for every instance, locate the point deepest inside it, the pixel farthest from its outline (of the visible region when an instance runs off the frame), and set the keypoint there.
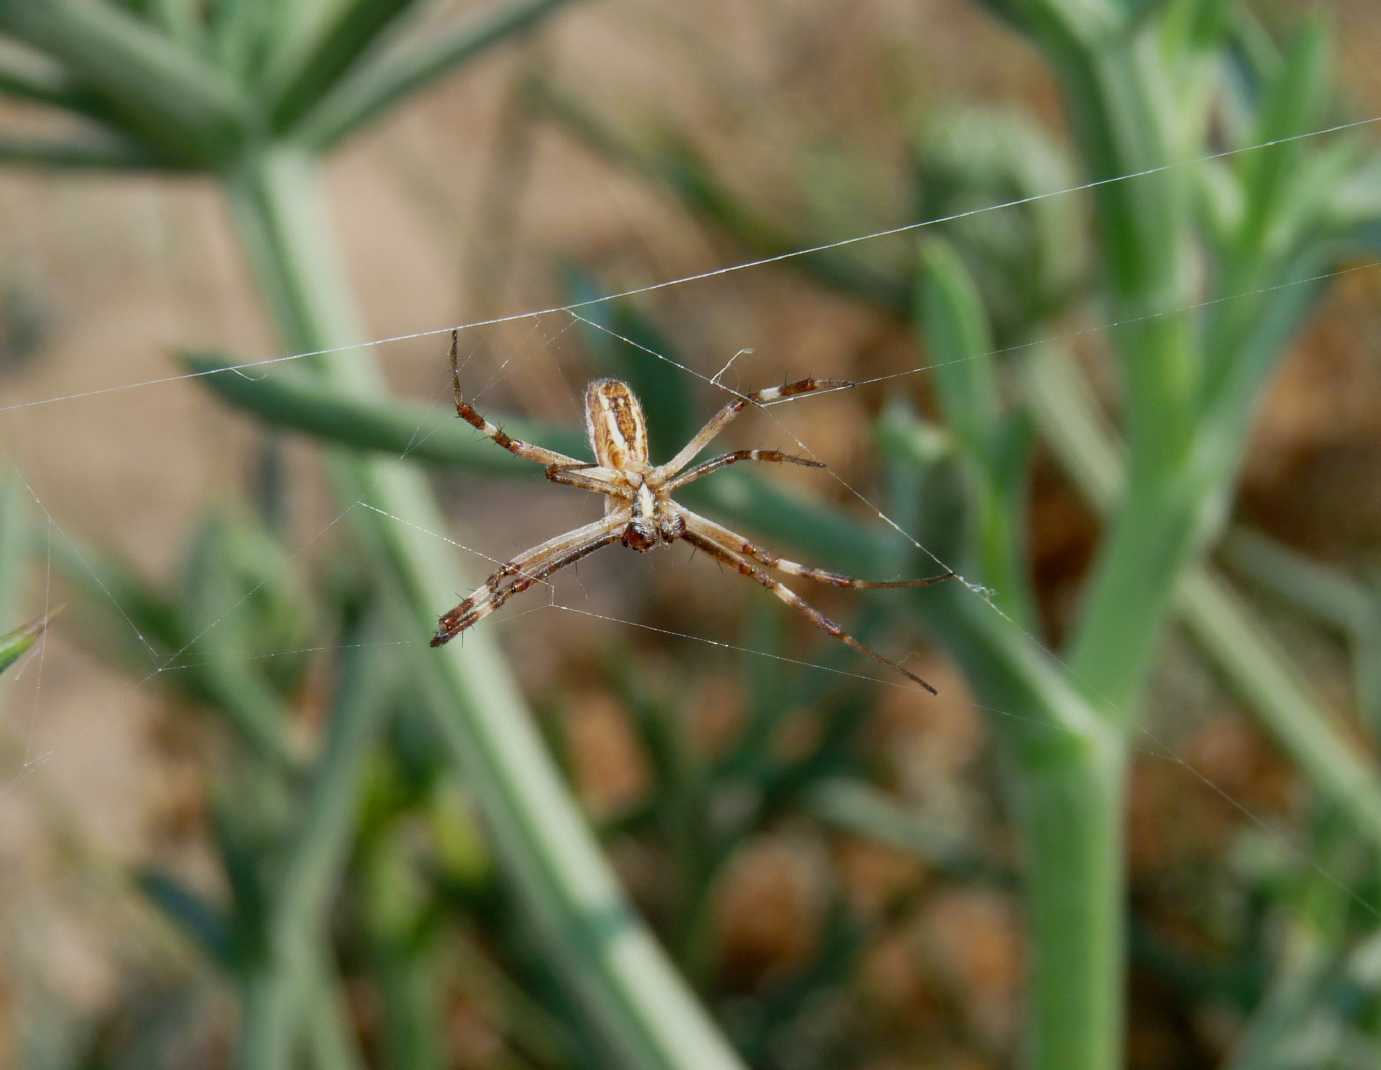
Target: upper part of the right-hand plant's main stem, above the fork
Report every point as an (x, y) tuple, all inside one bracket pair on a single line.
[(1119, 100)]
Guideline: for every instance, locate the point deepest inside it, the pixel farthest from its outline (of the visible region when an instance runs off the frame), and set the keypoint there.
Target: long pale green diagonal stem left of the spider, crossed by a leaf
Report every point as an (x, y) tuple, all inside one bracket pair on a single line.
[(599, 948)]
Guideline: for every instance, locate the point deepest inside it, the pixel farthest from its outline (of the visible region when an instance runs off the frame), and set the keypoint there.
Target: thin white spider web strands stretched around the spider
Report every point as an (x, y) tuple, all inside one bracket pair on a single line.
[(545, 332)]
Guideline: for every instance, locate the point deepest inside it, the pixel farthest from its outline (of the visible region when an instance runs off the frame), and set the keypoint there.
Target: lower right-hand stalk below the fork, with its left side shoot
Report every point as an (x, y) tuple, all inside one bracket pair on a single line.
[(1067, 789)]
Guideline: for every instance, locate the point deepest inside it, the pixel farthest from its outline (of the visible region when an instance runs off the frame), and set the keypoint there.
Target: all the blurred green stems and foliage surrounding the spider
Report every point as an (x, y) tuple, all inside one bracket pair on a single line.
[(387, 824)]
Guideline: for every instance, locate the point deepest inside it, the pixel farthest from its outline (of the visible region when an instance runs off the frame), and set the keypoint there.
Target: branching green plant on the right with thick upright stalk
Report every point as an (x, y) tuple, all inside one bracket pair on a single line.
[(1208, 267)]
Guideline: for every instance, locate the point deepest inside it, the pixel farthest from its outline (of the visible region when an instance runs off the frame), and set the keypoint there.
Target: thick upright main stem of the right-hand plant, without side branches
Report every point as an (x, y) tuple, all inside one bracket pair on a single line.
[(1072, 810)]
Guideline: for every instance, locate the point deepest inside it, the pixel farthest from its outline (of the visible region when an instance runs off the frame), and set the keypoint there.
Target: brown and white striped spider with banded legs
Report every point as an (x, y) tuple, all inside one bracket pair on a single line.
[(639, 507)]
